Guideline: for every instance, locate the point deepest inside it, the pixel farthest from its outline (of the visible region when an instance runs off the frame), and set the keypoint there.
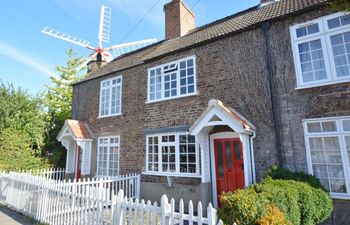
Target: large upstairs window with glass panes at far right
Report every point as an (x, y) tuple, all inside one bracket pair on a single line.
[(321, 50)]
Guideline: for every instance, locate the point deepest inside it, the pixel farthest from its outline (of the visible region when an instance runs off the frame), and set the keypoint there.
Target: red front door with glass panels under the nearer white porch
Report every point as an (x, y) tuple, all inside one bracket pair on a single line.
[(229, 165)]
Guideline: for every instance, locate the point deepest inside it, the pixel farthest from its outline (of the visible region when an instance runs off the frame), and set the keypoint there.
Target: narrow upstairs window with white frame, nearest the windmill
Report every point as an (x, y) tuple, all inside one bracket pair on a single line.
[(110, 97)]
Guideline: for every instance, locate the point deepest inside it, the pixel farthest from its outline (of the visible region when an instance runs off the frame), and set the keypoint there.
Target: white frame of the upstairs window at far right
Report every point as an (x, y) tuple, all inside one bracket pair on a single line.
[(324, 35)]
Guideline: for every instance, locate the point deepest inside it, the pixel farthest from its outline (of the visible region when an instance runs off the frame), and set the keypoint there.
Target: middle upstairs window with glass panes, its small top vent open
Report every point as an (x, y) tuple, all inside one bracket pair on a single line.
[(171, 80)]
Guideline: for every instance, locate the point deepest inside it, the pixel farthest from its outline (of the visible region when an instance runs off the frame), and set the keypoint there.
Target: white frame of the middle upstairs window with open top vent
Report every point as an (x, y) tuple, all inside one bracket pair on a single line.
[(178, 86)]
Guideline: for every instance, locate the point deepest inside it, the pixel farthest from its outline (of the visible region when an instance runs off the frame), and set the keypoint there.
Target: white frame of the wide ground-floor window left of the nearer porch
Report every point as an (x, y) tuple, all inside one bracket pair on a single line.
[(177, 172)]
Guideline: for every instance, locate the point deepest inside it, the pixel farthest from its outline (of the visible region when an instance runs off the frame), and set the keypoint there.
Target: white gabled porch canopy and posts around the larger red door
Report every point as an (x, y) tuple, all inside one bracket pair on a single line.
[(218, 114)]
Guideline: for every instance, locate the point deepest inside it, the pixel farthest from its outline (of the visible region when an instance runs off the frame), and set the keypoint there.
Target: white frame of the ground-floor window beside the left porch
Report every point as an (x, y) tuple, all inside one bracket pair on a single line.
[(108, 161)]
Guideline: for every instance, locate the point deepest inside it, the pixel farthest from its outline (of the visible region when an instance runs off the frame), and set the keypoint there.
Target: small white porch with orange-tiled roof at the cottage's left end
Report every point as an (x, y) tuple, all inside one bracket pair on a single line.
[(76, 134)]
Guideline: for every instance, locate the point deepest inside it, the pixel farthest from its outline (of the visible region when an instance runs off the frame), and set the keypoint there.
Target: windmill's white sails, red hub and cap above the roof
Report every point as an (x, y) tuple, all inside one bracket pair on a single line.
[(100, 54)]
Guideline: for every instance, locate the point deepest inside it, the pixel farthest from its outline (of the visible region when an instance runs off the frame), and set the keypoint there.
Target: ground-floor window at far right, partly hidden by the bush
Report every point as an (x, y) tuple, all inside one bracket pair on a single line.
[(328, 152)]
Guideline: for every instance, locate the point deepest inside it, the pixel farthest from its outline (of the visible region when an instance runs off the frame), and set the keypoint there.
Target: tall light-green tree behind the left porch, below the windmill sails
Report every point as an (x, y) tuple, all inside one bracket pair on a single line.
[(58, 100)]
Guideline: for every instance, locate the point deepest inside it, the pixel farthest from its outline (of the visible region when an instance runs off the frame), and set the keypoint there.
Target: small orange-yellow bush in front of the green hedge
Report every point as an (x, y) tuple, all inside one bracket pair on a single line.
[(273, 216)]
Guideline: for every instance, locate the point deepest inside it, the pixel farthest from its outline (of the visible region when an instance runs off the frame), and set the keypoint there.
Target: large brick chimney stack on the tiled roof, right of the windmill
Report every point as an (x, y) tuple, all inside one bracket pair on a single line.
[(179, 19)]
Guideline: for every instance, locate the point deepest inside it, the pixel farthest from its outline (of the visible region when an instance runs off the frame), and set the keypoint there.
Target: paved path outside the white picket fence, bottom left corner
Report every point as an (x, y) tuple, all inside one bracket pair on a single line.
[(10, 217)]
